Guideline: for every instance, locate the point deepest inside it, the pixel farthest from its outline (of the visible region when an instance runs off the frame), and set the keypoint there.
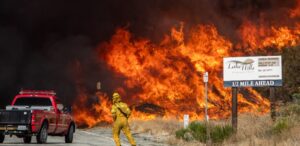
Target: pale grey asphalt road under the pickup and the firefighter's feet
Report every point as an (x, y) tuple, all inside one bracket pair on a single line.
[(89, 137)]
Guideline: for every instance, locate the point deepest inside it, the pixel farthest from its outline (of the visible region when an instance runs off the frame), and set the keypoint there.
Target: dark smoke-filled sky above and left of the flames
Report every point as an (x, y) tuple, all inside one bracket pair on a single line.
[(42, 42)]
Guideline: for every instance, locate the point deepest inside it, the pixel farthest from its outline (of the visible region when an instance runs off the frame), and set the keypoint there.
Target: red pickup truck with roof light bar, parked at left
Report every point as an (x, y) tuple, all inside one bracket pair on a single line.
[(36, 113)]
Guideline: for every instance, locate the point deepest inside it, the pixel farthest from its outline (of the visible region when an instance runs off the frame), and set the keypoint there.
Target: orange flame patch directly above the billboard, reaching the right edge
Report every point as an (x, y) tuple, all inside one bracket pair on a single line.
[(260, 37)]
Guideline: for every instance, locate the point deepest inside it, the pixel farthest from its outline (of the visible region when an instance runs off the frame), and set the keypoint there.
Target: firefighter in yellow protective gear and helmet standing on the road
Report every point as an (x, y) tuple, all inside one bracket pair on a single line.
[(120, 113)]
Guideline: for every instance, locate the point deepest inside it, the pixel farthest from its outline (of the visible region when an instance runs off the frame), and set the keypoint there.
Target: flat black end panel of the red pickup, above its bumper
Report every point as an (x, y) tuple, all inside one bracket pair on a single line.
[(15, 117)]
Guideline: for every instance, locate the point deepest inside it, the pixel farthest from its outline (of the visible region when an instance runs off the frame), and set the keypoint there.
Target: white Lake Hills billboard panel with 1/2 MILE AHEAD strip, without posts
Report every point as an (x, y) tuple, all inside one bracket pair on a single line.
[(256, 71)]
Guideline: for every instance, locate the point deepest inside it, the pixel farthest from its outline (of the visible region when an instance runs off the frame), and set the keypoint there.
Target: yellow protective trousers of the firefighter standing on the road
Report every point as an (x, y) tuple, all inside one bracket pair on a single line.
[(121, 123)]
